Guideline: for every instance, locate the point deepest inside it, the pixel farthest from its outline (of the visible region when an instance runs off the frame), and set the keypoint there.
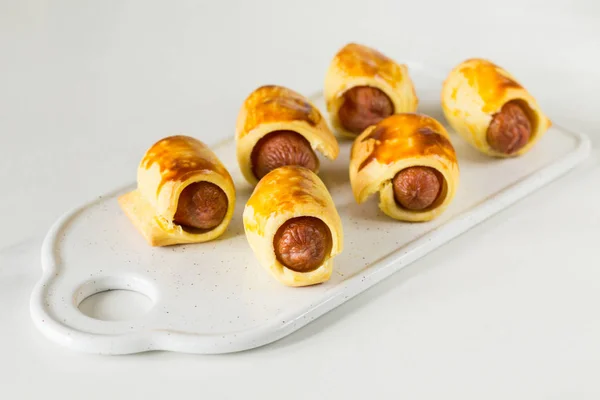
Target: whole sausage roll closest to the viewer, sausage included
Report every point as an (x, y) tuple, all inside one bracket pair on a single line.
[(293, 226)]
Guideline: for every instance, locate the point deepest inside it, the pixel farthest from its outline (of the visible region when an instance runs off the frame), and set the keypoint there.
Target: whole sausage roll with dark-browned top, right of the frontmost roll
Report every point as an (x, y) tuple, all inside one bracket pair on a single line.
[(409, 159)]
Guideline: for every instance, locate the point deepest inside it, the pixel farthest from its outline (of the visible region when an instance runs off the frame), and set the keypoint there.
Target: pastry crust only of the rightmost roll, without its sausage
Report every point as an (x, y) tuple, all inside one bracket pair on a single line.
[(476, 90)]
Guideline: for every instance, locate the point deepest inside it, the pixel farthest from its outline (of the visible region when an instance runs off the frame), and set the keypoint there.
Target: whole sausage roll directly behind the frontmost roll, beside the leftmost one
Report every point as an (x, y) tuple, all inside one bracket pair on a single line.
[(277, 126)]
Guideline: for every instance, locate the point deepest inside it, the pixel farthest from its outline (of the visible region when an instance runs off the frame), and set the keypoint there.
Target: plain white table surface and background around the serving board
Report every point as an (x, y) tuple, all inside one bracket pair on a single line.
[(507, 310)]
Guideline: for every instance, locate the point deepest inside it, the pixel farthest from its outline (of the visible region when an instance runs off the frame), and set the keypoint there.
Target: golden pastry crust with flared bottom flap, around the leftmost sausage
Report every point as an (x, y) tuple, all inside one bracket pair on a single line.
[(167, 168)]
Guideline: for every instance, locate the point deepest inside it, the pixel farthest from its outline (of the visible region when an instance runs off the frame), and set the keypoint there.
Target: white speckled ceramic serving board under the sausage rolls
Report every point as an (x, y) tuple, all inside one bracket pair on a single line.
[(215, 298)]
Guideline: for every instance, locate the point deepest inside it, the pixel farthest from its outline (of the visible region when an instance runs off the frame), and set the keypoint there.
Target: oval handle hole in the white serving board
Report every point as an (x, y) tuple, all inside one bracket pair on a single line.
[(115, 298)]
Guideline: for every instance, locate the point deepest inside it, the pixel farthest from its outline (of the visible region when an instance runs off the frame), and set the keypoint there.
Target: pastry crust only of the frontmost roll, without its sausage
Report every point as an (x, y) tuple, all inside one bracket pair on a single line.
[(286, 193)]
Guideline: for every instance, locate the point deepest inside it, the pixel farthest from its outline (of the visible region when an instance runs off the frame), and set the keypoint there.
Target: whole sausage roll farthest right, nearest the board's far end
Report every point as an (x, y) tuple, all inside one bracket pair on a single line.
[(491, 110)]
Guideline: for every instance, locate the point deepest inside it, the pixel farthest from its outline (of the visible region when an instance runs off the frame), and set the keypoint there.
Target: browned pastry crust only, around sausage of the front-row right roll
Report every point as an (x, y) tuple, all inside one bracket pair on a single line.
[(398, 142)]
